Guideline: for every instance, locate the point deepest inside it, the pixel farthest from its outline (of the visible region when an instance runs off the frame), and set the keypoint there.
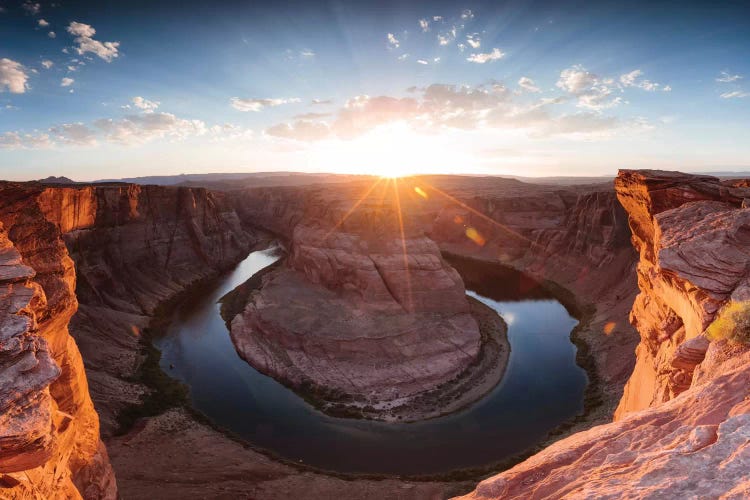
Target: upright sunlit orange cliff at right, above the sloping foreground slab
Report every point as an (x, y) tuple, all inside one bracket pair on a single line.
[(693, 238)]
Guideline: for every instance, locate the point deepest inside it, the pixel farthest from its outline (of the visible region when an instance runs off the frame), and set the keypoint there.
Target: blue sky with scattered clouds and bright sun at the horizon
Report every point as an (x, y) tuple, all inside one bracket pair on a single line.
[(112, 89)]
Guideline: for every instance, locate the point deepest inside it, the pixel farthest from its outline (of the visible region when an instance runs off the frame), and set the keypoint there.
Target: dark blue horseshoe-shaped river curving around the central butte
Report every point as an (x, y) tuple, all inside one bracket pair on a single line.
[(542, 388)]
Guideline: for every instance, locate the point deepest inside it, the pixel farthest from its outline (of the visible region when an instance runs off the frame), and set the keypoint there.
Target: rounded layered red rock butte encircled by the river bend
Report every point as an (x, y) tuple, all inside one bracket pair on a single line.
[(358, 311)]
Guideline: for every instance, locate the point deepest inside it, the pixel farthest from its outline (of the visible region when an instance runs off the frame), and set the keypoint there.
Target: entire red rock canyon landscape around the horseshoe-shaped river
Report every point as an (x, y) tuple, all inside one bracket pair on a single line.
[(89, 270)]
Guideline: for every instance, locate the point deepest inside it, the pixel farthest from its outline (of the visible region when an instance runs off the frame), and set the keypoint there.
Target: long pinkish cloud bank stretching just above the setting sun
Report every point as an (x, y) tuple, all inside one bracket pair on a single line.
[(459, 107)]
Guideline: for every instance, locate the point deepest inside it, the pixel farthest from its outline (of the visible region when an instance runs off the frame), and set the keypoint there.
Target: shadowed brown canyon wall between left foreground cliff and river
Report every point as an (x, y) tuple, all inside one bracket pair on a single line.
[(135, 247)]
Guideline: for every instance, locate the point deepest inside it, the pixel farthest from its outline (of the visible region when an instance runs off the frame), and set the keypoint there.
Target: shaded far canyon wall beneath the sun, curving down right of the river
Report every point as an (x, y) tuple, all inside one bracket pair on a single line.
[(576, 237)]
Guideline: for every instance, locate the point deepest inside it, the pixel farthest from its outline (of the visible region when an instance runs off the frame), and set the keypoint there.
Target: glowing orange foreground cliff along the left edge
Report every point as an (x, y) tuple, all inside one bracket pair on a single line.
[(50, 431)]
